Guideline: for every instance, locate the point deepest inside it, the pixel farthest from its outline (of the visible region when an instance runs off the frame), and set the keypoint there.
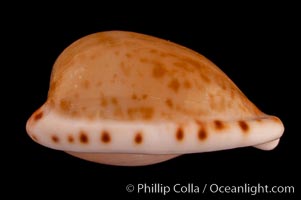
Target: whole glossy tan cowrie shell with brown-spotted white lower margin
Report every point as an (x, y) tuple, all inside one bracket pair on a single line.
[(124, 98)]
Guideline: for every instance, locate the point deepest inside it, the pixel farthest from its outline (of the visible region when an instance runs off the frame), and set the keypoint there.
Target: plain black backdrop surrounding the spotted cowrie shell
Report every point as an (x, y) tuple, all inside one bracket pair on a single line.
[(255, 45)]
